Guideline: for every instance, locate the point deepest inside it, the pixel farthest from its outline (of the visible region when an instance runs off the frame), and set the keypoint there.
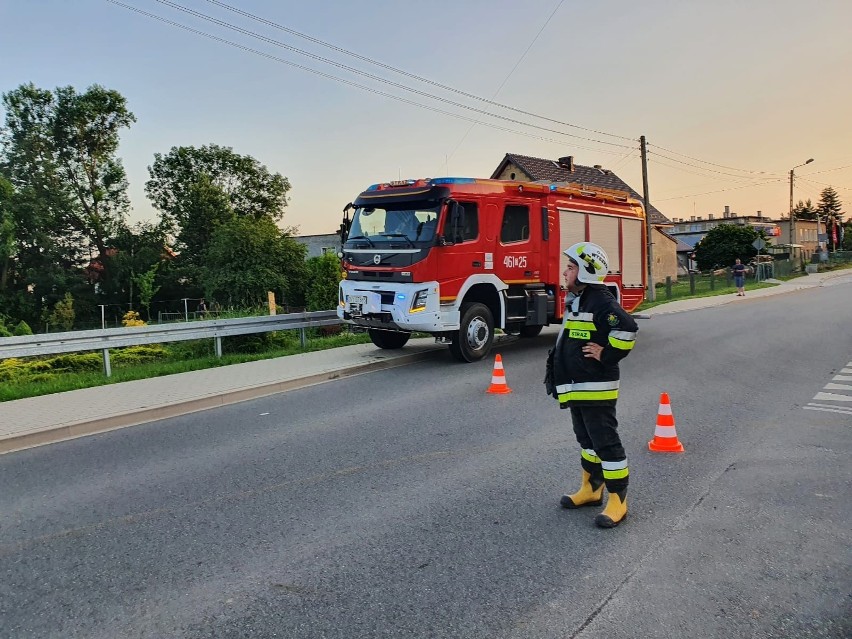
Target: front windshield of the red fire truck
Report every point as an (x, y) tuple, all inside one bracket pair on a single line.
[(412, 224)]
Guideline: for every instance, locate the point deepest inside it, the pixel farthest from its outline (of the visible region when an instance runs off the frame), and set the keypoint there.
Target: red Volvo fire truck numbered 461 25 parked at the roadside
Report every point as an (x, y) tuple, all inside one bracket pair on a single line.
[(459, 257)]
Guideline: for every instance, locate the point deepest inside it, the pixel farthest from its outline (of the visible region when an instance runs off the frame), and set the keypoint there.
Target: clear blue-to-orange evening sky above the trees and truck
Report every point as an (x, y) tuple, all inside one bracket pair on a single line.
[(731, 93)]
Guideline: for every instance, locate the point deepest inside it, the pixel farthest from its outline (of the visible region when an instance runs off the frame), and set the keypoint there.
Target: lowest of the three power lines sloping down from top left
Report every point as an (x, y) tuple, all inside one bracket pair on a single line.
[(355, 84)]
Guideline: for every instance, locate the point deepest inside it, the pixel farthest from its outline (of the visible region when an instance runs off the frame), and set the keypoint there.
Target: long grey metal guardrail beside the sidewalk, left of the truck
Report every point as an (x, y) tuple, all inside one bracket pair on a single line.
[(105, 339)]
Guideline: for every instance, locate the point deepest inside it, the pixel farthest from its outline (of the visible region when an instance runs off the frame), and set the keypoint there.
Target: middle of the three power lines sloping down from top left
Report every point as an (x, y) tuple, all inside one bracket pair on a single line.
[(371, 76)]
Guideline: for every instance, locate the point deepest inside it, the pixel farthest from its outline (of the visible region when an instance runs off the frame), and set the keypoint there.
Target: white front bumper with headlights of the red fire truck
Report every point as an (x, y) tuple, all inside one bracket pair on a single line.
[(401, 306)]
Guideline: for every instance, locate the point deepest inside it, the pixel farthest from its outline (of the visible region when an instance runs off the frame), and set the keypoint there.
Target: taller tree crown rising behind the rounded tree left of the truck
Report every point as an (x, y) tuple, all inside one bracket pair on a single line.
[(188, 179)]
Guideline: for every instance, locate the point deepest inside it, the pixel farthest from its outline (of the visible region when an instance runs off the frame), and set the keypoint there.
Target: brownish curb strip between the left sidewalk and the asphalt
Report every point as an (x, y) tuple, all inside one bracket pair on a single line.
[(64, 432)]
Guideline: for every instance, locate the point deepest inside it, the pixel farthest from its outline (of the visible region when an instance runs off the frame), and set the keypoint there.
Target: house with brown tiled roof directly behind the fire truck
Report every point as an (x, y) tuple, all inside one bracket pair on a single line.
[(524, 168)]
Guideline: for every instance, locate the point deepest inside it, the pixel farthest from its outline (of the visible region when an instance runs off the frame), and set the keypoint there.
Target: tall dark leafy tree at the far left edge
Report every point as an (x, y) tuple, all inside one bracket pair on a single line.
[(58, 151)]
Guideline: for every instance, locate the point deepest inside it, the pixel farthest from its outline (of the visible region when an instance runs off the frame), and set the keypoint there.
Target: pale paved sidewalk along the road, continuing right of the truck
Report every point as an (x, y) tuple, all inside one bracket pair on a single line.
[(50, 418)]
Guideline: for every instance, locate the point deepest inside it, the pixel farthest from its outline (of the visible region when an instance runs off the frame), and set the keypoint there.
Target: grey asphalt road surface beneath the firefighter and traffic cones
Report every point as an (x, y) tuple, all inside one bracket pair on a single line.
[(410, 503)]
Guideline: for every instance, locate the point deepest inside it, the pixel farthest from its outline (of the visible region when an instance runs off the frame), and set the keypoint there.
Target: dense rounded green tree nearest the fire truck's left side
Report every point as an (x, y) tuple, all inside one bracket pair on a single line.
[(248, 257)]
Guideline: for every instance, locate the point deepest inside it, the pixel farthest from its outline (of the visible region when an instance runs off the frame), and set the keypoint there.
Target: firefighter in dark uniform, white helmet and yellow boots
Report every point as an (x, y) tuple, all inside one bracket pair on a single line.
[(583, 375)]
